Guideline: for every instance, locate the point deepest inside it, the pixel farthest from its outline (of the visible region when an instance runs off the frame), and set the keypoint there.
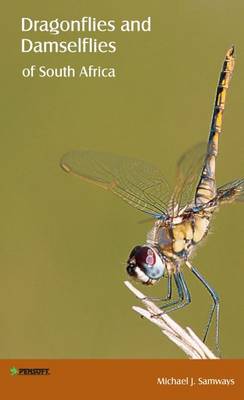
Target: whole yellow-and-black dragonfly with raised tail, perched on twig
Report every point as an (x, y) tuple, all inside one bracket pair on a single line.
[(182, 216)]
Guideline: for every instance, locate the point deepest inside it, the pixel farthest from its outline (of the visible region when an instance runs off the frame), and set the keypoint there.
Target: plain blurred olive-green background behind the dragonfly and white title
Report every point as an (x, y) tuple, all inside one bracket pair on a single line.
[(64, 243)]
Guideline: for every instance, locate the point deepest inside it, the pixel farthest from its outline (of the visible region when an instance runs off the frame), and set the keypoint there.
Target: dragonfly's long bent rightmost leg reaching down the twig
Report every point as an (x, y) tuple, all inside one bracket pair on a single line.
[(214, 307)]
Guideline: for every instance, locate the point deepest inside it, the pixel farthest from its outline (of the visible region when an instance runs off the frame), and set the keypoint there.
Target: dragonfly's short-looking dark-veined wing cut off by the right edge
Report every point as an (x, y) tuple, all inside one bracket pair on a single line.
[(232, 191)]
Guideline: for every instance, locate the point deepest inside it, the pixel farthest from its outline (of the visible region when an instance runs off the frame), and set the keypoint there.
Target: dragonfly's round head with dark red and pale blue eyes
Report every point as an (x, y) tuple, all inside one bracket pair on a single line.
[(145, 264)]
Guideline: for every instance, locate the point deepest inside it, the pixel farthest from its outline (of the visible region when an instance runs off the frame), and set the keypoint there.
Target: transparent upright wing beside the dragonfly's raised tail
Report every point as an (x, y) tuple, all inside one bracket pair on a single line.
[(189, 168)]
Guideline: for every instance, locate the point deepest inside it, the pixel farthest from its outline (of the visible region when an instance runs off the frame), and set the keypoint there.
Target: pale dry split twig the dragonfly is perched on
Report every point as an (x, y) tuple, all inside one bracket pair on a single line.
[(185, 339)]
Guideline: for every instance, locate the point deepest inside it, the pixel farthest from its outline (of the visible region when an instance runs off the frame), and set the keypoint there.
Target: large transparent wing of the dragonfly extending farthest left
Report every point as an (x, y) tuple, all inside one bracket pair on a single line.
[(138, 183)]
